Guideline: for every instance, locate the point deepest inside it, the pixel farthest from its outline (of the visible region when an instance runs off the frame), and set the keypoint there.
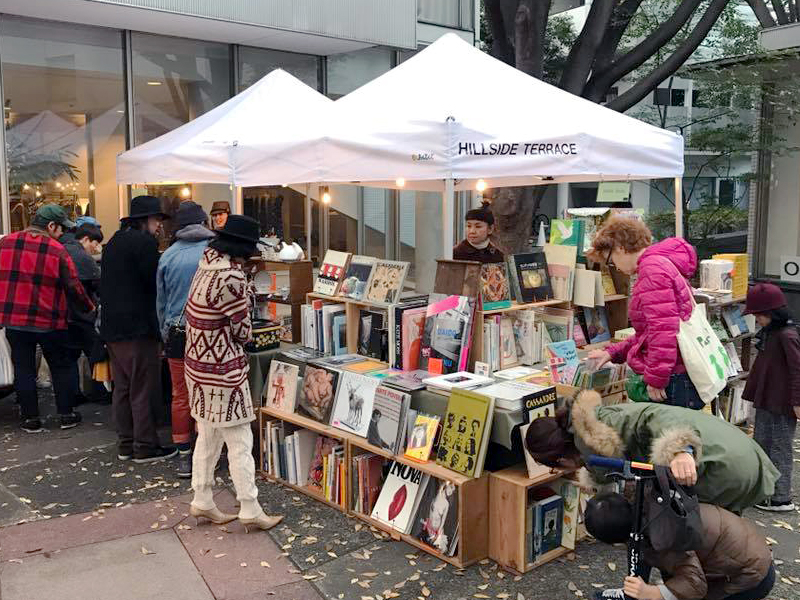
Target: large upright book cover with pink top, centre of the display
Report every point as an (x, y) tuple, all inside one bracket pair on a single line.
[(448, 328)]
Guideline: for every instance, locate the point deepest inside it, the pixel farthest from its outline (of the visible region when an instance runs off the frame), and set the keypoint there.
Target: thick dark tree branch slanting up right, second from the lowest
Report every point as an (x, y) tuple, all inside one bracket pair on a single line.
[(600, 82)]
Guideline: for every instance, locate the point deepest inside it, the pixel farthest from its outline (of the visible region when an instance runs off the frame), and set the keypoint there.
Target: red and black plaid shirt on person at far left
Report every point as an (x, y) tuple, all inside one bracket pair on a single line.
[(37, 279)]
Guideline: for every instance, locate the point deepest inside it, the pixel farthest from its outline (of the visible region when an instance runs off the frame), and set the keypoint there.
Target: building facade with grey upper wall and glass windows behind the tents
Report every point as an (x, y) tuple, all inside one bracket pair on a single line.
[(84, 80)]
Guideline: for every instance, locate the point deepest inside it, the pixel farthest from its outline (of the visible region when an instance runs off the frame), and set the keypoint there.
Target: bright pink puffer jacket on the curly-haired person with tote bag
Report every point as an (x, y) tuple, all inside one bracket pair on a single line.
[(660, 299)]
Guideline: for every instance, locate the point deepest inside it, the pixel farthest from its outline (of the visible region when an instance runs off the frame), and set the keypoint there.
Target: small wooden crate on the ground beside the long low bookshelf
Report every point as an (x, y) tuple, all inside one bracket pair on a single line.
[(508, 496)]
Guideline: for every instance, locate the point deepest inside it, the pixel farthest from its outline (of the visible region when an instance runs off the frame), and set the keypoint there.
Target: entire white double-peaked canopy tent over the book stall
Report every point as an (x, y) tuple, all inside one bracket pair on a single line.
[(441, 121)]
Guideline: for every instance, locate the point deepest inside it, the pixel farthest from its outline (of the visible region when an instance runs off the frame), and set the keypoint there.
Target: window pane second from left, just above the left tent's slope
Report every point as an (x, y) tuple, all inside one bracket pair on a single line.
[(174, 81)]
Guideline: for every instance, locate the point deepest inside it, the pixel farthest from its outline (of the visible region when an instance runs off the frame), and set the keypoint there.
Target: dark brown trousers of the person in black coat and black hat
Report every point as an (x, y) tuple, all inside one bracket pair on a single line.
[(136, 370)]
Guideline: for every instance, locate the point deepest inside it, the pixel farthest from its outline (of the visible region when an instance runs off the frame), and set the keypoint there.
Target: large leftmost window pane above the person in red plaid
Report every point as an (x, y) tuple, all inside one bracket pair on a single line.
[(64, 117)]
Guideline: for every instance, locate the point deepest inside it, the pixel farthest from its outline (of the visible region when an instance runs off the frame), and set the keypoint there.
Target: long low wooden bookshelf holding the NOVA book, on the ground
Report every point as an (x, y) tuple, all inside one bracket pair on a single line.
[(473, 494)]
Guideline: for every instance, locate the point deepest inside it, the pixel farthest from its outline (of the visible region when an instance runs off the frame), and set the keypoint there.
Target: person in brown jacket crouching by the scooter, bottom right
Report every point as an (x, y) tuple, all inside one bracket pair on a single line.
[(733, 561)]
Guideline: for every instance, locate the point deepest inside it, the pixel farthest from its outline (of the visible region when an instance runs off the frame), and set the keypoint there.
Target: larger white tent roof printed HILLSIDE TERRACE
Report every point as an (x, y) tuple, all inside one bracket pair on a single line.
[(396, 126)]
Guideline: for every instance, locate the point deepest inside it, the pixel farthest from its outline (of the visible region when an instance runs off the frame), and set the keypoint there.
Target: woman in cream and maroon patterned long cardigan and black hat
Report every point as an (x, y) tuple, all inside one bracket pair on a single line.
[(218, 318)]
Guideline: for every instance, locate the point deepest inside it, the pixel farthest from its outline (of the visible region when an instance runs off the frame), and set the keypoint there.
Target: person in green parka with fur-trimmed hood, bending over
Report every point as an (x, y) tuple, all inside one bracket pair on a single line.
[(726, 467)]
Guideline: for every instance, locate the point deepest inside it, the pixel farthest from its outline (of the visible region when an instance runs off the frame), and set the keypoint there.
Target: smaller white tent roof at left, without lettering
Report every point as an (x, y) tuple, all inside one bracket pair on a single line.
[(230, 144)]
